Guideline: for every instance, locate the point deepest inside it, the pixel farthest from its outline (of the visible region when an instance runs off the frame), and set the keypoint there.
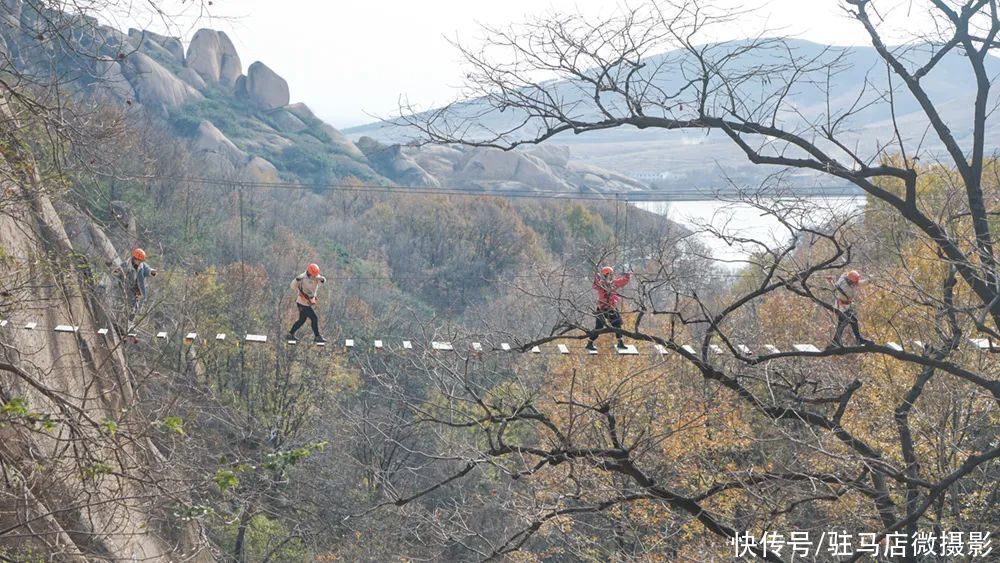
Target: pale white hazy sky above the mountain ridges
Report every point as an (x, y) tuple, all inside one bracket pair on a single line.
[(352, 59)]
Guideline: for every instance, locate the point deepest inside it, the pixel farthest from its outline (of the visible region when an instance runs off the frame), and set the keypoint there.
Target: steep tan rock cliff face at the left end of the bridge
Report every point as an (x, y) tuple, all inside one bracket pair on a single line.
[(81, 478)]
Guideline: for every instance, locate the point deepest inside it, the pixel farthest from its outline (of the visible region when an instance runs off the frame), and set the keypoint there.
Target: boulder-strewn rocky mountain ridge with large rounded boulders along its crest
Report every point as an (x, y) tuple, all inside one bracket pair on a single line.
[(240, 122)]
